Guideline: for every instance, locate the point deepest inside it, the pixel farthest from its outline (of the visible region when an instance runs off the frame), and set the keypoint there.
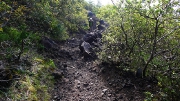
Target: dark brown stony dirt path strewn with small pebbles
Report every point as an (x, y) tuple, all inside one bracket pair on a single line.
[(90, 80)]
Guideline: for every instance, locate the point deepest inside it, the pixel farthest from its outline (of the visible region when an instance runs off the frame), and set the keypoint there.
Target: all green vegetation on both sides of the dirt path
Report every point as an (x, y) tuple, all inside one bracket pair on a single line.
[(142, 34)]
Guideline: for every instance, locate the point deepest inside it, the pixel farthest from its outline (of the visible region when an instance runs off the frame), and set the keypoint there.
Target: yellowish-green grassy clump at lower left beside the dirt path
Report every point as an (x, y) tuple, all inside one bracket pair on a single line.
[(34, 84)]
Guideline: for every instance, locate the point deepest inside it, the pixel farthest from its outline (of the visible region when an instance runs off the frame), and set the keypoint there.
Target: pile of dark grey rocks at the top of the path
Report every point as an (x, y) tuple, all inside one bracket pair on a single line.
[(93, 37)]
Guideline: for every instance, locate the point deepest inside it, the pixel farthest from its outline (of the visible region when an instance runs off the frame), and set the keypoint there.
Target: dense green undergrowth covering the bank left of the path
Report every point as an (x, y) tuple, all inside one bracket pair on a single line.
[(25, 73)]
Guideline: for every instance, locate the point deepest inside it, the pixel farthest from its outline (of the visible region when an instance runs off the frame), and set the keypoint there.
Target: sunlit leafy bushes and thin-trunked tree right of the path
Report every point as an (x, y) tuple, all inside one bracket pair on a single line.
[(145, 35)]
